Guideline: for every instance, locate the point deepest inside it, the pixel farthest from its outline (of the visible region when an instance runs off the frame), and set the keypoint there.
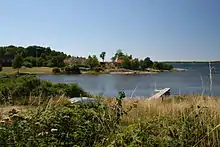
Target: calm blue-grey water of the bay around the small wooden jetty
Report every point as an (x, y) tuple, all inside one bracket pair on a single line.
[(193, 81)]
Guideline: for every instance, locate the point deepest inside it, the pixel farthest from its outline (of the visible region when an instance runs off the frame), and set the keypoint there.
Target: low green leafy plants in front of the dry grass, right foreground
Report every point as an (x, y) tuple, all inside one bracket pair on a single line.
[(191, 129)]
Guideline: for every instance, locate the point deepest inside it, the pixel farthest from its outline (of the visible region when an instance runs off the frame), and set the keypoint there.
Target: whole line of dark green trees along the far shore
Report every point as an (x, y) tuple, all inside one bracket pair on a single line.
[(36, 56)]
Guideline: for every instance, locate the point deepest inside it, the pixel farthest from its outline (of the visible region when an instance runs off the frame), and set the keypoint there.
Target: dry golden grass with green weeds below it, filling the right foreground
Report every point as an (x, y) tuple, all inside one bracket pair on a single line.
[(177, 121)]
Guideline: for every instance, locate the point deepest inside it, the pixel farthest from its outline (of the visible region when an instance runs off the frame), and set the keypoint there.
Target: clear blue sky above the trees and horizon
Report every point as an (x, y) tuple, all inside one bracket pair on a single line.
[(160, 29)]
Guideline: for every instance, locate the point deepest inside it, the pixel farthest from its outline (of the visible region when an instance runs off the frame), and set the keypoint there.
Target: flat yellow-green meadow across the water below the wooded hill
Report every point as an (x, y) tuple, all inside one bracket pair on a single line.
[(33, 70)]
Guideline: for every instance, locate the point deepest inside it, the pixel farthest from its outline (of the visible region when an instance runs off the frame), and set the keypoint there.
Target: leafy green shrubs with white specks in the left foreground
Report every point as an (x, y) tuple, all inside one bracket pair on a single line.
[(68, 125)]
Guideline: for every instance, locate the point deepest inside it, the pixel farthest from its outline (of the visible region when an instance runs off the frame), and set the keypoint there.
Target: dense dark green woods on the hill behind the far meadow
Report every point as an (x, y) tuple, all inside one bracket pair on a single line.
[(36, 55)]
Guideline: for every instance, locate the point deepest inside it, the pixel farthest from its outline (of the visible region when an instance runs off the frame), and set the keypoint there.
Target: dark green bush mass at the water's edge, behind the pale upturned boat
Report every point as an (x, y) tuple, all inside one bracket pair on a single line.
[(19, 88)]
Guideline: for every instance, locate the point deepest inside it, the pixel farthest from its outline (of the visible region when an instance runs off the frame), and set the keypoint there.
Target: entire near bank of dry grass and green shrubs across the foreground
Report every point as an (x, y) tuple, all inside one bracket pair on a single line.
[(177, 121)]
